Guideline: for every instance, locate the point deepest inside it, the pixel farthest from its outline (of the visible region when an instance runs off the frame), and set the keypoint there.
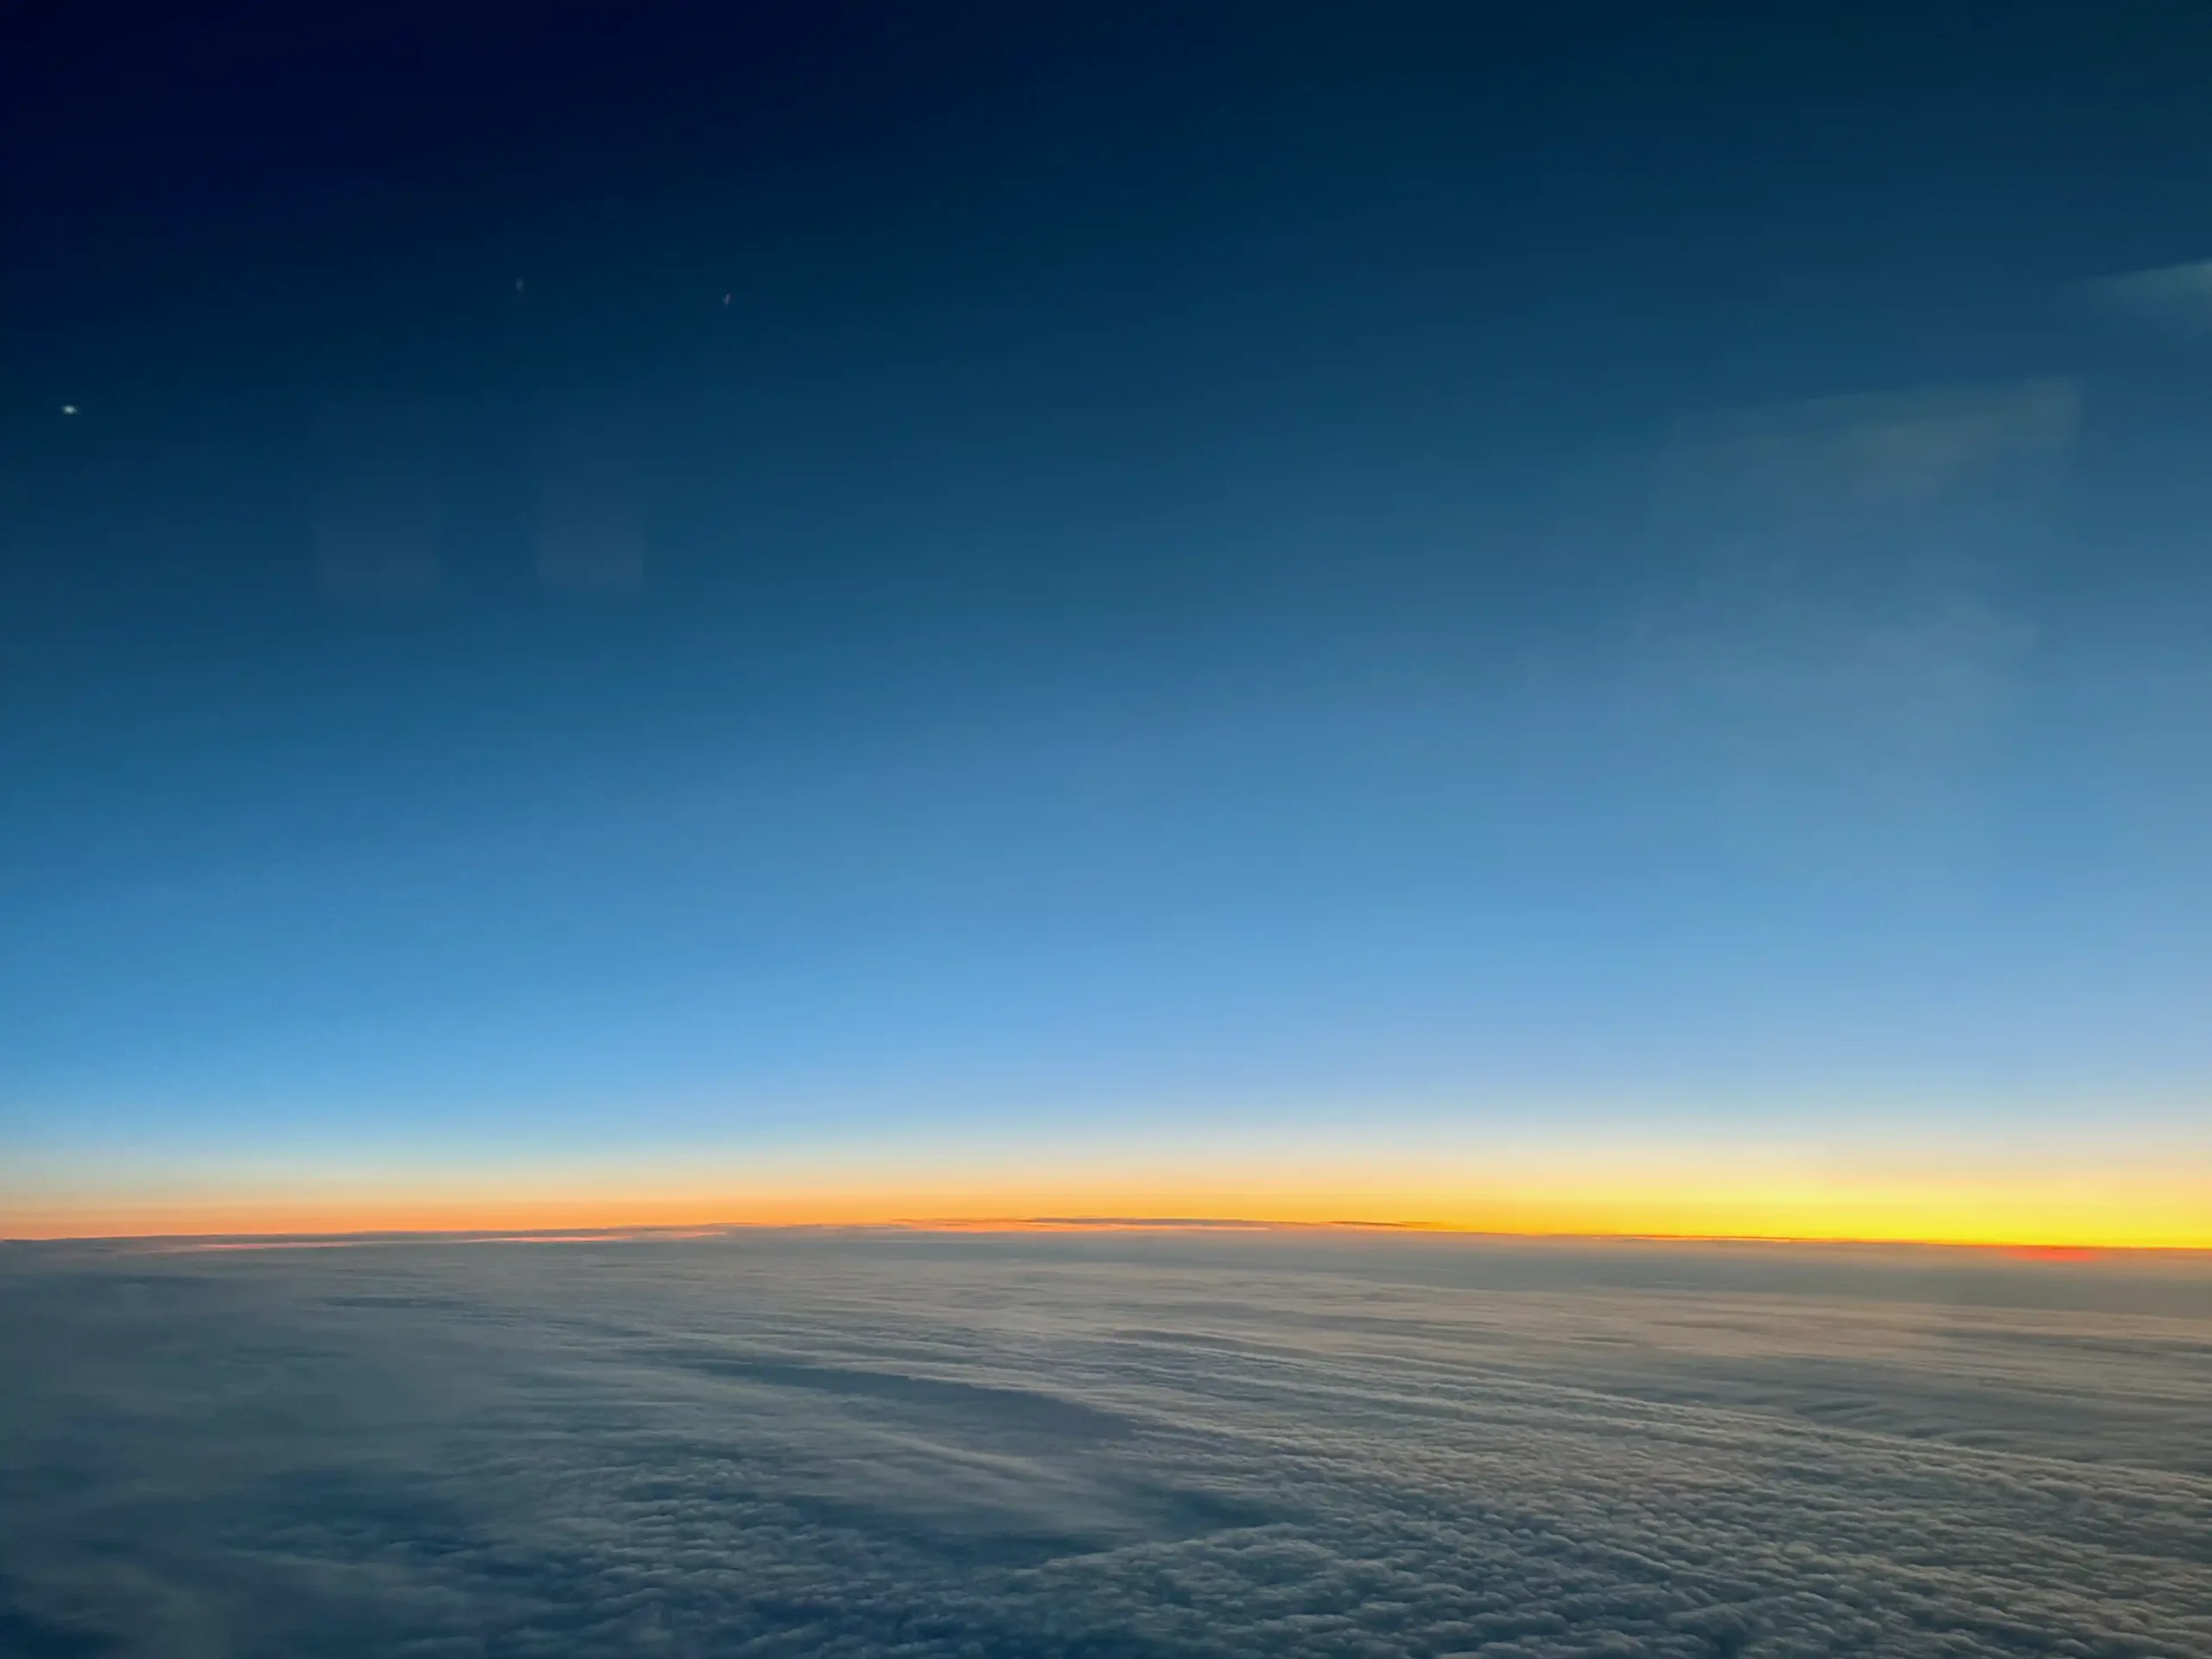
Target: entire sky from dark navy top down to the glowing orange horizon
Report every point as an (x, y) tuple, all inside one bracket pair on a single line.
[(1587, 620)]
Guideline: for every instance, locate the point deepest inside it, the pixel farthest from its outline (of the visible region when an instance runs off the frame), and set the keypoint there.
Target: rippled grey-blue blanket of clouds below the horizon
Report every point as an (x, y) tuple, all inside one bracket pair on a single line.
[(1100, 1446)]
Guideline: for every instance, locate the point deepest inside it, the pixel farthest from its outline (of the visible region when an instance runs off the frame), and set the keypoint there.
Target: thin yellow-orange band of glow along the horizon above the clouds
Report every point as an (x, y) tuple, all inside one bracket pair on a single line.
[(2047, 1213)]
